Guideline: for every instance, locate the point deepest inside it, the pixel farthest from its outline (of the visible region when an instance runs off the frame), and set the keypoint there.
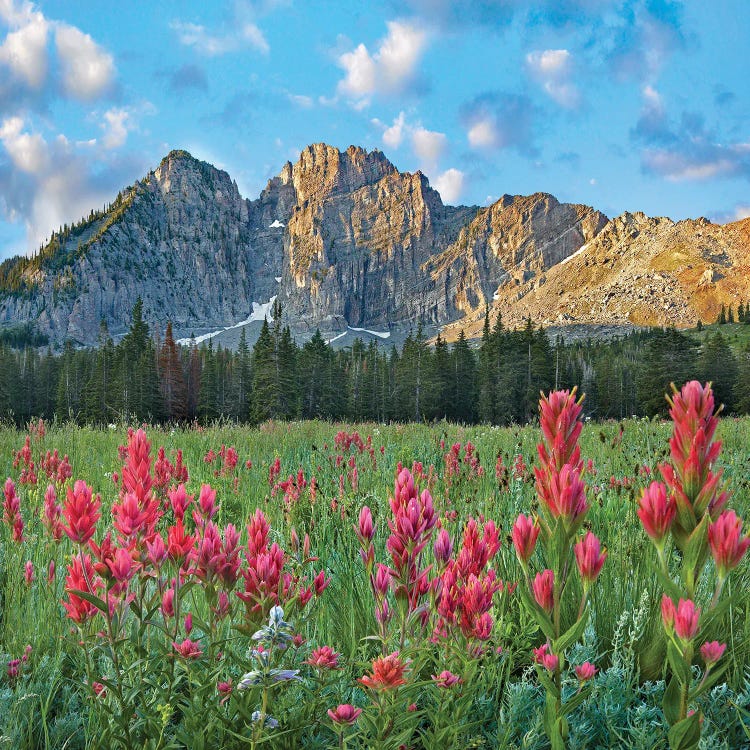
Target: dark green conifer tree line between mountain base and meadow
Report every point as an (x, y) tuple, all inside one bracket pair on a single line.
[(142, 378)]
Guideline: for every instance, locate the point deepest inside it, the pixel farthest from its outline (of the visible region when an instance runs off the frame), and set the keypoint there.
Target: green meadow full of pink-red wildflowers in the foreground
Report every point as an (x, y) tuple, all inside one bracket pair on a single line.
[(368, 586)]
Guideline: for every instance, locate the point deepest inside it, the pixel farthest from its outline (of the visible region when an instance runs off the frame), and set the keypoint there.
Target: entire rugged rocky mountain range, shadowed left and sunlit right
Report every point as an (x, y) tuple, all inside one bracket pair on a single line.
[(345, 240)]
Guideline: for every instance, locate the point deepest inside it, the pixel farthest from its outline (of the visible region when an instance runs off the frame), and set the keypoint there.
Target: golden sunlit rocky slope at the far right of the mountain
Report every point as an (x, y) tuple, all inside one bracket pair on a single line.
[(636, 271)]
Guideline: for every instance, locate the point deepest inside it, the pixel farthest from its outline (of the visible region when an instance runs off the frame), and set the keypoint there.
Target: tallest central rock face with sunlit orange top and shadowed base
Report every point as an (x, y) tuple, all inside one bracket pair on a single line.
[(357, 241)]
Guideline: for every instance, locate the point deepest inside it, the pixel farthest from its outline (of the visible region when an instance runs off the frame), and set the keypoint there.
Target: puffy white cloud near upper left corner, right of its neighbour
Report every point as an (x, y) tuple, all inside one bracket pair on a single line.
[(87, 69)]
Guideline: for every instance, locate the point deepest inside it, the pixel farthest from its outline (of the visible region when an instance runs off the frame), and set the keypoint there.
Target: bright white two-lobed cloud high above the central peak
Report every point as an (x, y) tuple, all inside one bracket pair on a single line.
[(389, 70)]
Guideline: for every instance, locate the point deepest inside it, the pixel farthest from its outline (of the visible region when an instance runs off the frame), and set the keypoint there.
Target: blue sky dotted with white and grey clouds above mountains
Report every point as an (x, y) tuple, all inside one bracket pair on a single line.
[(620, 104)]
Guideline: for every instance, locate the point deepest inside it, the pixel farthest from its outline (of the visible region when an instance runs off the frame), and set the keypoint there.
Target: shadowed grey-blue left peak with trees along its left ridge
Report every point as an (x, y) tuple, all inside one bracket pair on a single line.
[(183, 241)]
